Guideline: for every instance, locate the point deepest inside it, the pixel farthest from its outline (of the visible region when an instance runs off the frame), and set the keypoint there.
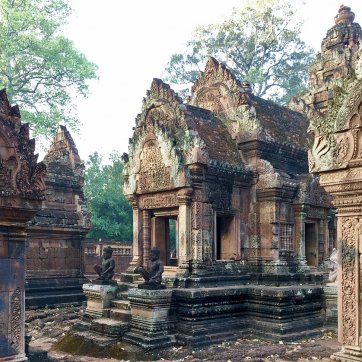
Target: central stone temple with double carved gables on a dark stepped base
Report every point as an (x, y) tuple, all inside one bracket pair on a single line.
[(220, 184)]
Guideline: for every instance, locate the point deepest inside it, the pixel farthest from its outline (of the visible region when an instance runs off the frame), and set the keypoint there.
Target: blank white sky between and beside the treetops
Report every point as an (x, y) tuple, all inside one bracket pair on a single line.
[(132, 40)]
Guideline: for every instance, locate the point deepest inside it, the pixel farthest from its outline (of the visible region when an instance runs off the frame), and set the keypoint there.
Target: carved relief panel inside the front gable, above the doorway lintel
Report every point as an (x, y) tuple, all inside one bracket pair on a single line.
[(153, 174)]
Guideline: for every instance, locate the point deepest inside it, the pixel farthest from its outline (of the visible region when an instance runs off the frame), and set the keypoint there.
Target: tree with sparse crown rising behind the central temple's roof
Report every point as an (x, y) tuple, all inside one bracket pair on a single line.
[(259, 43)]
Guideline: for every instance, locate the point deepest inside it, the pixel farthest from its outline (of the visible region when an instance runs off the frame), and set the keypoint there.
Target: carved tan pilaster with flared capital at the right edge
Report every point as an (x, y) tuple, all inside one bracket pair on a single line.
[(345, 186)]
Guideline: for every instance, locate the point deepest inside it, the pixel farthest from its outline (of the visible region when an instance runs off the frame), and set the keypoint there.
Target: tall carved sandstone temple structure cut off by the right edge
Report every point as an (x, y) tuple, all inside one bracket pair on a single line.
[(334, 107)]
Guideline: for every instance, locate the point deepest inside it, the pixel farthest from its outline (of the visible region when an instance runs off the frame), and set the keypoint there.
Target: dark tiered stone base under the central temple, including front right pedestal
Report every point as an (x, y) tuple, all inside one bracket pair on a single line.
[(203, 316)]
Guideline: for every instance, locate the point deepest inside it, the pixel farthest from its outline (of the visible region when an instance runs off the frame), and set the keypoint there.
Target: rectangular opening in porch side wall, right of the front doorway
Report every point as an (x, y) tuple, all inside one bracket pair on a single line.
[(225, 237)]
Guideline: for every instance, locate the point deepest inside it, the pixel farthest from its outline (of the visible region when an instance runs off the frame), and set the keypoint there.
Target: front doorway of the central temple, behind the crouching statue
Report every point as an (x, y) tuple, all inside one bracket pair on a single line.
[(165, 237)]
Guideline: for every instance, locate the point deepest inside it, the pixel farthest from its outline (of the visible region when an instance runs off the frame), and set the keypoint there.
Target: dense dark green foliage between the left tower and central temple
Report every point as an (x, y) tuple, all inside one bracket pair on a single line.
[(111, 214)]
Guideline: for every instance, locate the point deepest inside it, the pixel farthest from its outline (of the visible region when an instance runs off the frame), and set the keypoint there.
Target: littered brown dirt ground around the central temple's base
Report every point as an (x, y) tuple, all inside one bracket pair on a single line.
[(46, 326)]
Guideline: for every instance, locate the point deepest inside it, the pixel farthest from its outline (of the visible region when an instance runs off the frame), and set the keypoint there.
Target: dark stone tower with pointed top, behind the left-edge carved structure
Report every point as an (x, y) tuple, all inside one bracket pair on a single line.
[(54, 273)]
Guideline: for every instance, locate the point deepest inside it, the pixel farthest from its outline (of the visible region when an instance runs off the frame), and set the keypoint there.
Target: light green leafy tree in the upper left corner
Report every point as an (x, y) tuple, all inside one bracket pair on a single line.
[(39, 67)]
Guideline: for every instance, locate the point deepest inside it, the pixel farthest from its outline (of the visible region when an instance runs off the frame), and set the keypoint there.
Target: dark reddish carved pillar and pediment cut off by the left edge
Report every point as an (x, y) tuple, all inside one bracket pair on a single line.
[(21, 195)]
